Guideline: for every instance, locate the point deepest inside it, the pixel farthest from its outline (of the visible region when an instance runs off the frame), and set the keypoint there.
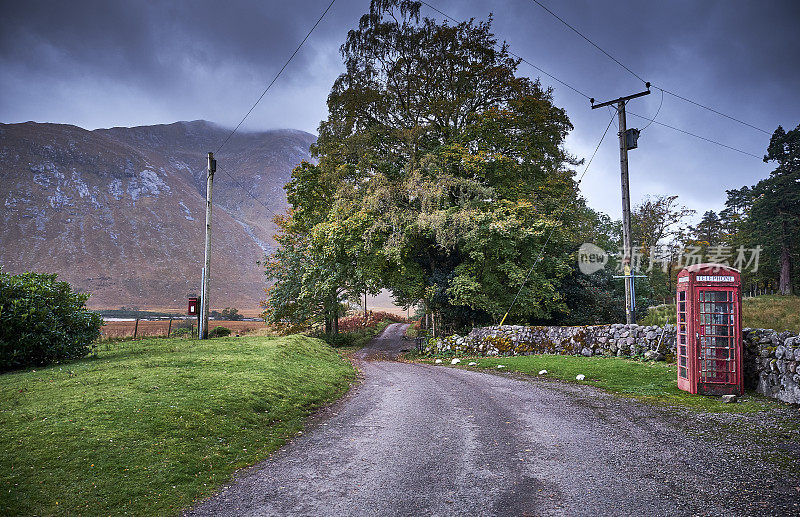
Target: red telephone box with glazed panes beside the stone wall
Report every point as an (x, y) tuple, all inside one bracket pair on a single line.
[(709, 348)]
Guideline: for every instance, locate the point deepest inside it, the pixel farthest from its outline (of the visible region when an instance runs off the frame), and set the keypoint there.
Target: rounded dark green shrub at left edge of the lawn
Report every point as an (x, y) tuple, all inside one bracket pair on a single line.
[(43, 321)]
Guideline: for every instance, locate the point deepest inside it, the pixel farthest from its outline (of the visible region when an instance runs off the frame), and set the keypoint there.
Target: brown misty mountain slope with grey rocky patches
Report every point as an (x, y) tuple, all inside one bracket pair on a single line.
[(120, 212)]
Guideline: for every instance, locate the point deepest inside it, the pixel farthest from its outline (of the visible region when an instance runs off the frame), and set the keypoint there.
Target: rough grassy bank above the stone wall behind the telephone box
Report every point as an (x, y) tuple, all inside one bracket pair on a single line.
[(766, 312)]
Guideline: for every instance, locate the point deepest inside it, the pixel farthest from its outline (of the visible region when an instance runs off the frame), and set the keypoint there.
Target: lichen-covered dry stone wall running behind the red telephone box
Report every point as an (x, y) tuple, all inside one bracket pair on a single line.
[(771, 359)]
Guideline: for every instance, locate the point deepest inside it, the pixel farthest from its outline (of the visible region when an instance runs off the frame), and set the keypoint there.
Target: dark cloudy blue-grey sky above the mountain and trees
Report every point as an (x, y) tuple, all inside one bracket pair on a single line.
[(122, 63)]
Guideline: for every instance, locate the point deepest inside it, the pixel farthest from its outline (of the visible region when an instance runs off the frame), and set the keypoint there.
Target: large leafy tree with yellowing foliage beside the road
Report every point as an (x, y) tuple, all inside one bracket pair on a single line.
[(440, 173)]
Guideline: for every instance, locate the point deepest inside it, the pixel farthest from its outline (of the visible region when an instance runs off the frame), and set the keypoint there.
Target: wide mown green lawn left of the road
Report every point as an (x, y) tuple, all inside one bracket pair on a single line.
[(149, 426)]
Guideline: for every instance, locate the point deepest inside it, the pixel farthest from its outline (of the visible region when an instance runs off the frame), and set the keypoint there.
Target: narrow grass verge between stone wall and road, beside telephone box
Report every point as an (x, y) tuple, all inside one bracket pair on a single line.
[(653, 382)]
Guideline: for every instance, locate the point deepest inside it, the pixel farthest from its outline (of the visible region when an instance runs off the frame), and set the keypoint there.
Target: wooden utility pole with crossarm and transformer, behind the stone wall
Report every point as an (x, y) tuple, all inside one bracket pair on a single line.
[(627, 140)]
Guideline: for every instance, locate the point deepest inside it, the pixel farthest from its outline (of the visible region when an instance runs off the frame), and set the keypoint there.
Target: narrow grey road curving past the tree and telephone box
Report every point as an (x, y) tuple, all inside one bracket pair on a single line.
[(430, 440)]
